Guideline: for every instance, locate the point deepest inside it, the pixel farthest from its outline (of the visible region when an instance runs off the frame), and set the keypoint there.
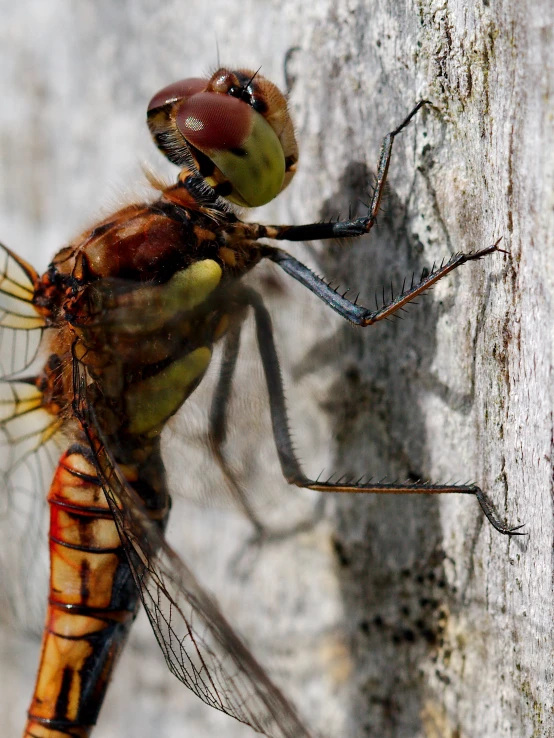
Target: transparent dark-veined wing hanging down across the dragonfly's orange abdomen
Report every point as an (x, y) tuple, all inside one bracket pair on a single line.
[(198, 644)]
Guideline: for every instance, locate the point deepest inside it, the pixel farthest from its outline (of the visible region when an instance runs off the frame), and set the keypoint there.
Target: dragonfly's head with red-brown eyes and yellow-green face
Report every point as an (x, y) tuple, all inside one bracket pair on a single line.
[(235, 127)]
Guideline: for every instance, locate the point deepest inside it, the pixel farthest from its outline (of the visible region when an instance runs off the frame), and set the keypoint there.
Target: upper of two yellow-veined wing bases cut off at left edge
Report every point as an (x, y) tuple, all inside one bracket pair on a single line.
[(21, 325)]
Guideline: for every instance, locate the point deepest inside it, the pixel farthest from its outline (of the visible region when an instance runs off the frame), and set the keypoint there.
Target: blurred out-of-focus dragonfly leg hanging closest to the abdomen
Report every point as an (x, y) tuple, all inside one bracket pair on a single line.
[(218, 424)]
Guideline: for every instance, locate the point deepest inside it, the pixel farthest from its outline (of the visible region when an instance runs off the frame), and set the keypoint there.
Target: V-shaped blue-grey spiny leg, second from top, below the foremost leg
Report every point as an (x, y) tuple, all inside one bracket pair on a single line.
[(358, 314)]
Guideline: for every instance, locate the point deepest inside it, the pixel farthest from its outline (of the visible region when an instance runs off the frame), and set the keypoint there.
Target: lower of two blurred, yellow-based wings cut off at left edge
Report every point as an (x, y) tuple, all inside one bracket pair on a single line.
[(29, 447)]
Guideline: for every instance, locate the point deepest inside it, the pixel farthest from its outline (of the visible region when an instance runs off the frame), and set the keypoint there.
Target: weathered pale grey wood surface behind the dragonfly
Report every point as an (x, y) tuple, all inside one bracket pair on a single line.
[(389, 617)]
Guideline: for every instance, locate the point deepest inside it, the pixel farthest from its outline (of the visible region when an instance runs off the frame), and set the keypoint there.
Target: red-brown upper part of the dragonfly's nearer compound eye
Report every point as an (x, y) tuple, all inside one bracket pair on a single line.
[(212, 121)]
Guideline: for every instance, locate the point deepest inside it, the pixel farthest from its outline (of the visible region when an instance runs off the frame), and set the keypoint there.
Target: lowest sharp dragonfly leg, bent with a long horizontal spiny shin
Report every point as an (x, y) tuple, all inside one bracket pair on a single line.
[(287, 457)]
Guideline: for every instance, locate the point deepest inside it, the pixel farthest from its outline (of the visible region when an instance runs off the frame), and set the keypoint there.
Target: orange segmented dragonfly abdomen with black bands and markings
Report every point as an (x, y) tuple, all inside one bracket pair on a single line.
[(93, 601)]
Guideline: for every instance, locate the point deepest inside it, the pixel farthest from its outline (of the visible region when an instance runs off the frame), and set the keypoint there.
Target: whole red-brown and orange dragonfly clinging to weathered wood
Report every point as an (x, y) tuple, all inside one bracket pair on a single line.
[(124, 323)]
